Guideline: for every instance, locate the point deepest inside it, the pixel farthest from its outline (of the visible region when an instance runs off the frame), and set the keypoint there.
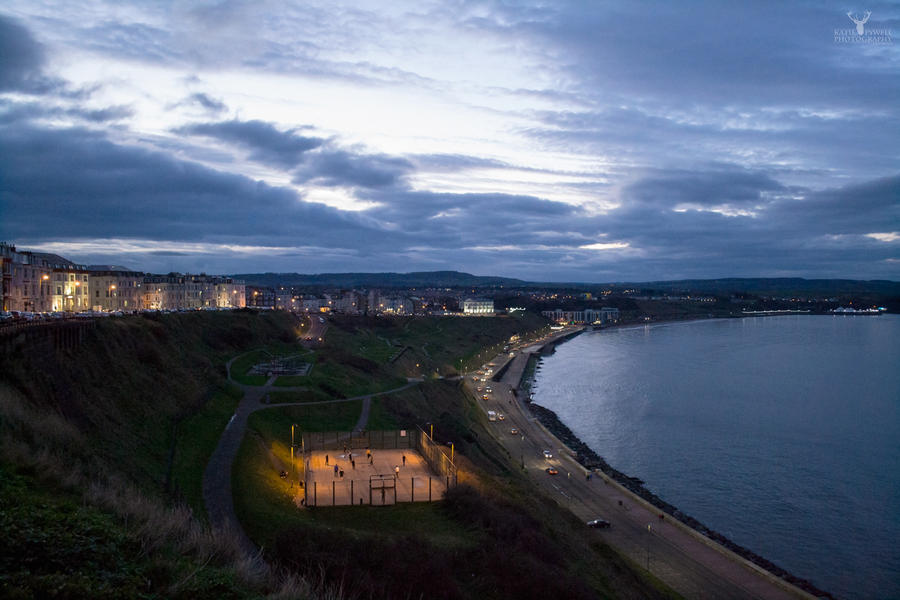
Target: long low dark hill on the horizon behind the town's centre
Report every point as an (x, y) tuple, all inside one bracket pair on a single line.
[(383, 280)]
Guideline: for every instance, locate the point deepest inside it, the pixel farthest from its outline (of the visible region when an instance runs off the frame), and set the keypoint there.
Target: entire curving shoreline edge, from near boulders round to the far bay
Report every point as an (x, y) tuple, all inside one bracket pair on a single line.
[(591, 460)]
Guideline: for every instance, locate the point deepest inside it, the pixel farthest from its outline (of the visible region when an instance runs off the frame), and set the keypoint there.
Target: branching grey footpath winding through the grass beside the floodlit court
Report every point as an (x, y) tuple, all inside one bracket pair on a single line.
[(217, 495)]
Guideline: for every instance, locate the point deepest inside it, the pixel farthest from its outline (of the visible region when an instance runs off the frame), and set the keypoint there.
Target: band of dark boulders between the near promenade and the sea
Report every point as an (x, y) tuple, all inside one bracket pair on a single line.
[(591, 460)]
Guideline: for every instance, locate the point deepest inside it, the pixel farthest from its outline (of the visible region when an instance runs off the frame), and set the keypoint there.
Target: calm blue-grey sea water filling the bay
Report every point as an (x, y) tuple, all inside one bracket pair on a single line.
[(783, 433)]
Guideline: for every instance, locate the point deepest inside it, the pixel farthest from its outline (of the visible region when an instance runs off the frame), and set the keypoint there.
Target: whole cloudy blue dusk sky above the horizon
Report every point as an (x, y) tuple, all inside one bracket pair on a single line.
[(549, 141)]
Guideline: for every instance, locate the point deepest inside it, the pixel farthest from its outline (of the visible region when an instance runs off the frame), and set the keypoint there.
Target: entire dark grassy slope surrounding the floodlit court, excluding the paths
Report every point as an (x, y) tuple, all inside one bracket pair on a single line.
[(103, 446)]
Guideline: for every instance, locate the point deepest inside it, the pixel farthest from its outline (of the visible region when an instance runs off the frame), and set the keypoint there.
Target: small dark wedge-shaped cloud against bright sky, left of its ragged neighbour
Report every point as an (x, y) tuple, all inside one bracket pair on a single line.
[(266, 143)]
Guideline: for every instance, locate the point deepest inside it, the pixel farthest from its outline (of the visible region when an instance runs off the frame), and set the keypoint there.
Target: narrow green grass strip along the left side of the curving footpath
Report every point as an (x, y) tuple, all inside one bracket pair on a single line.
[(197, 438)]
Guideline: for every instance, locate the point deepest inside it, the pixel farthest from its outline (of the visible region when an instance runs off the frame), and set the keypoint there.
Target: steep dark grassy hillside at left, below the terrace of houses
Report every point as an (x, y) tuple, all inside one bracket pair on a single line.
[(91, 495)]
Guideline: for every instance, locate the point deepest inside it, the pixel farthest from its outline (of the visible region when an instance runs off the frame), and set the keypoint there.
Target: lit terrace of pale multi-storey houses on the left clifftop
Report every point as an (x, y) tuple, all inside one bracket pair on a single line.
[(43, 282)]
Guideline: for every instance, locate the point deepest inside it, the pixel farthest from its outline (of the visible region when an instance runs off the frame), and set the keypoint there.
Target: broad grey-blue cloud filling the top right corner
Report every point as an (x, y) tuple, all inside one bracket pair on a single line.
[(750, 54)]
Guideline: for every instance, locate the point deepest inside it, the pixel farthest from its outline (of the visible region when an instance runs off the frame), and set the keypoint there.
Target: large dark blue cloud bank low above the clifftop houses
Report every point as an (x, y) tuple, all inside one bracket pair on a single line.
[(84, 186)]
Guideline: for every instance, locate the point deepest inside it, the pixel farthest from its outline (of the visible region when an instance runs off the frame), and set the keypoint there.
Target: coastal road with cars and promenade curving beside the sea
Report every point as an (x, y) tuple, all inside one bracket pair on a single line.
[(693, 566)]
